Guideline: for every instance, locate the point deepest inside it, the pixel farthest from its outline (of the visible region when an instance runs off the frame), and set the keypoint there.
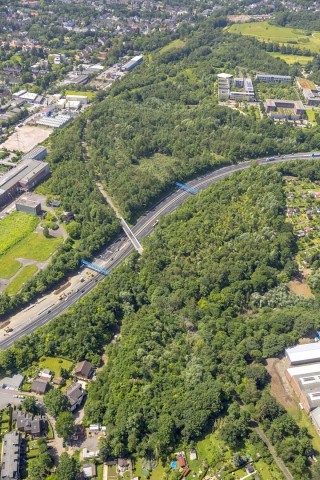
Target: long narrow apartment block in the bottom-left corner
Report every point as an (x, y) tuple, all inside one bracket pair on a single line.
[(10, 456)]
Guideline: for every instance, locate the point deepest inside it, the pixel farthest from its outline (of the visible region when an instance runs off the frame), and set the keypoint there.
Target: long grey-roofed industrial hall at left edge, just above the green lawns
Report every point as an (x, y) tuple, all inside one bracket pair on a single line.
[(22, 178)]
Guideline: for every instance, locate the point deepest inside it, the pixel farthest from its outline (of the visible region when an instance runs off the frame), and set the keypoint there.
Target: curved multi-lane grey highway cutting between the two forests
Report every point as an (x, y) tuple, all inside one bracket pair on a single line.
[(121, 248)]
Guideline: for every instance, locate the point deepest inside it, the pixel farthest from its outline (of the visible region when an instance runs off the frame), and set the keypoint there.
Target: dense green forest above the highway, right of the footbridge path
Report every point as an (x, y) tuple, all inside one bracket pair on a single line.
[(163, 122)]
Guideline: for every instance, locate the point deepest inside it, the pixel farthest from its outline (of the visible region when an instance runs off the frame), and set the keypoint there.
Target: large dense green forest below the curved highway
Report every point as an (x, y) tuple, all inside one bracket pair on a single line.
[(193, 338)]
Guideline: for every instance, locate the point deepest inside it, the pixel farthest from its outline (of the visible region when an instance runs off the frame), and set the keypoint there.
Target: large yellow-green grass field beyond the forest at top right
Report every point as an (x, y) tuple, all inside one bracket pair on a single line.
[(283, 35)]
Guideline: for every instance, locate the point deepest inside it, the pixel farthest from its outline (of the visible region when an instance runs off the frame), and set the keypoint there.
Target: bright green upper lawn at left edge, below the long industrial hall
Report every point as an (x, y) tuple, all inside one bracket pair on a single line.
[(14, 228)]
